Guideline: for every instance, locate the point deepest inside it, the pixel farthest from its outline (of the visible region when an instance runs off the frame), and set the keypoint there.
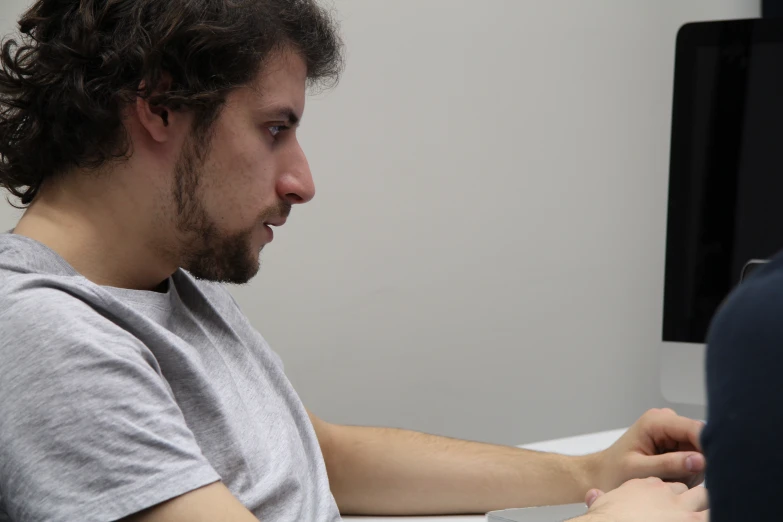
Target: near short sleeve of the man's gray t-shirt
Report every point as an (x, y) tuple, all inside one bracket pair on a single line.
[(89, 429)]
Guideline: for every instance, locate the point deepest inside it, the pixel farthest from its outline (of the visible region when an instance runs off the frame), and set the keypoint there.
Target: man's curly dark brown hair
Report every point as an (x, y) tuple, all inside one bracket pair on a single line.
[(76, 64)]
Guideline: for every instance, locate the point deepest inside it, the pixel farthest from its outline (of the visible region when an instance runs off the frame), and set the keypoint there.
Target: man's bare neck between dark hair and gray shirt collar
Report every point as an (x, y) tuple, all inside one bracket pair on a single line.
[(107, 235)]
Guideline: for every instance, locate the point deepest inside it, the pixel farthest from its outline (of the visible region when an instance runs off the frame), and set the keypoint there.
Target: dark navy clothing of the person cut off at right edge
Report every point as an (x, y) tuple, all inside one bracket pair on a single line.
[(743, 439)]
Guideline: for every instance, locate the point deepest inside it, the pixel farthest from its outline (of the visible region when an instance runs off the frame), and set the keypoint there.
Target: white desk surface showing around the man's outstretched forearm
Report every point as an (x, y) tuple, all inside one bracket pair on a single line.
[(579, 445)]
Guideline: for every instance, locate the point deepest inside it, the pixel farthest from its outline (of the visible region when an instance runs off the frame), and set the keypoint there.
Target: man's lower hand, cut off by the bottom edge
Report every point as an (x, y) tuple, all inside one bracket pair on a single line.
[(648, 500)]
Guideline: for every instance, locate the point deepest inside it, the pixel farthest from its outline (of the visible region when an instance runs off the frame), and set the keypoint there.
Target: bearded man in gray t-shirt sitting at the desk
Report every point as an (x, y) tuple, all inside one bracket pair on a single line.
[(154, 145)]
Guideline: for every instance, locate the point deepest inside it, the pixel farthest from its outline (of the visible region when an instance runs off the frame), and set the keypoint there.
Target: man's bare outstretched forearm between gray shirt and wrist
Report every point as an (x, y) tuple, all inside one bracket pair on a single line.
[(378, 471)]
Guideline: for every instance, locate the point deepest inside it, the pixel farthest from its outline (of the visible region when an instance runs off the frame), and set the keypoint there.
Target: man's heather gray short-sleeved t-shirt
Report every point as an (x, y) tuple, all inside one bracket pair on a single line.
[(114, 400)]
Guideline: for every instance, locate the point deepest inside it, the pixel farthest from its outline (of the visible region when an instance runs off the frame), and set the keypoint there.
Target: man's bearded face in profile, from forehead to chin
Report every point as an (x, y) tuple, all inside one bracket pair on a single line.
[(242, 178)]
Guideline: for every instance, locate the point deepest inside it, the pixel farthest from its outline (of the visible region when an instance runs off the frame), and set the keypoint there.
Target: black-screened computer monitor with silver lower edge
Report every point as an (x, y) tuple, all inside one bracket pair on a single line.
[(725, 203)]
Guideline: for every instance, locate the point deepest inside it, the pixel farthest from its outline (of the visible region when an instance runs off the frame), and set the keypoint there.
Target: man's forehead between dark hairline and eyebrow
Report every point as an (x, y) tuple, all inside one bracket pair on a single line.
[(281, 81)]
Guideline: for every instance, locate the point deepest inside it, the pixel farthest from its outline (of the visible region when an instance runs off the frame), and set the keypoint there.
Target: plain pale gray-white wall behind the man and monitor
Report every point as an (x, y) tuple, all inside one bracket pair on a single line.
[(484, 258)]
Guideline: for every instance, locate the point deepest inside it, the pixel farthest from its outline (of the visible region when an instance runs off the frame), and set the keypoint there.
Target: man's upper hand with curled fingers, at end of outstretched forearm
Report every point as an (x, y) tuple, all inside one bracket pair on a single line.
[(660, 444)]
